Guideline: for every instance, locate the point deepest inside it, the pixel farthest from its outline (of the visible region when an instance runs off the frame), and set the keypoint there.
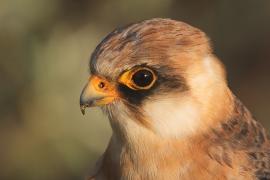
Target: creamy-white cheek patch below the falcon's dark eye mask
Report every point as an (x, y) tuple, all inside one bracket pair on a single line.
[(173, 117)]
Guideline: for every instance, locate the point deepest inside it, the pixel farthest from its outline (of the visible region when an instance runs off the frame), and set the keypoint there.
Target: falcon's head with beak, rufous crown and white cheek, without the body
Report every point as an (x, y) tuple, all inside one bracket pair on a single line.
[(158, 76)]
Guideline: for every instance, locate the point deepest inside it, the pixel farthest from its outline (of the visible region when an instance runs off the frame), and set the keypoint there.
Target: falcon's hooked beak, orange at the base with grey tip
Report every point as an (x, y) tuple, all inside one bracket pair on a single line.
[(97, 92)]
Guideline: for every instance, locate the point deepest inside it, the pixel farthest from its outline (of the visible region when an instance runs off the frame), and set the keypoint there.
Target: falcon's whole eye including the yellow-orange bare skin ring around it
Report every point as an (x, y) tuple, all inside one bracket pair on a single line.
[(139, 78)]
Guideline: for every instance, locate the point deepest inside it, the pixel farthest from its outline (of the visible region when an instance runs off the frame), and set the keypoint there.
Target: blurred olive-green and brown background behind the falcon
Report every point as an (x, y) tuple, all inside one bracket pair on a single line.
[(45, 47)]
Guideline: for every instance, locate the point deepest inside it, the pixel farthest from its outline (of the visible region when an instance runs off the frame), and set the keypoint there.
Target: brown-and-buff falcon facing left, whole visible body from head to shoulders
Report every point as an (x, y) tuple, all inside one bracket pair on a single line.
[(172, 113)]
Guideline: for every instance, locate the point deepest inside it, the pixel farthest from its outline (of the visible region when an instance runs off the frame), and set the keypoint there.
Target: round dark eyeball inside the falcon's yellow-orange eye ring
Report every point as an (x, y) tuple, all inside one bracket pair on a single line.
[(143, 78)]
